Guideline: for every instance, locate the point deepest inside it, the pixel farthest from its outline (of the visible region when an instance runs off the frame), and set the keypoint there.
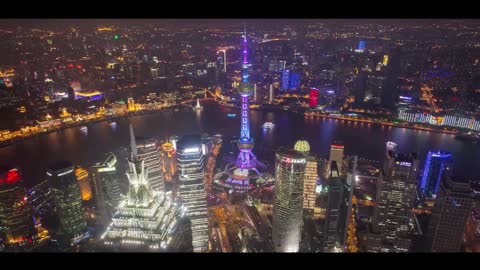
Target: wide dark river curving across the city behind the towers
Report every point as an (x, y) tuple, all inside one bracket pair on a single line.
[(33, 155)]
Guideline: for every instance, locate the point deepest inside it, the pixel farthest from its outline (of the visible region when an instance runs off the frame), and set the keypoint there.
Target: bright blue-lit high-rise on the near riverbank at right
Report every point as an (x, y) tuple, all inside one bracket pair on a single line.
[(436, 164)]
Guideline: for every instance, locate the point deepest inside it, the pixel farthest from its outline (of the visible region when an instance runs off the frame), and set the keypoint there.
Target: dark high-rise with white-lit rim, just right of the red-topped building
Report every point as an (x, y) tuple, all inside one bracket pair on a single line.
[(66, 194)]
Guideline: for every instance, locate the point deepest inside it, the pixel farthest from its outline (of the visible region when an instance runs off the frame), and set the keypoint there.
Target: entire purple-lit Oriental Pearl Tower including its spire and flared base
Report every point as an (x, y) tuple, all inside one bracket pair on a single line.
[(239, 176)]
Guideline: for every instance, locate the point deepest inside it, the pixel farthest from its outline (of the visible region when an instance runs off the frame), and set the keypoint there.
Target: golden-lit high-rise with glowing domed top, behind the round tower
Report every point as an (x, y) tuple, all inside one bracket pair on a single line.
[(311, 176)]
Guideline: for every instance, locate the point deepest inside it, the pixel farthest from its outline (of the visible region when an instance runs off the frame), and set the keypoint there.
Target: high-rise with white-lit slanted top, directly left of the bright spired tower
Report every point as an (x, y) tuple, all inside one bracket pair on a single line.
[(106, 187)]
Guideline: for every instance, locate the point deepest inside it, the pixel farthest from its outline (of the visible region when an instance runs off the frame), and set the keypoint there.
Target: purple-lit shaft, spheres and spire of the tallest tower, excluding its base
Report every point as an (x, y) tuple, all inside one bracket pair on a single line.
[(246, 159)]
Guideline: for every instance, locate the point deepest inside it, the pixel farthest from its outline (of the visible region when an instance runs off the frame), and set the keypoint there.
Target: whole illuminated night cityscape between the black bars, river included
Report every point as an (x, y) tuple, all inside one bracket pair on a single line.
[(248, 104)]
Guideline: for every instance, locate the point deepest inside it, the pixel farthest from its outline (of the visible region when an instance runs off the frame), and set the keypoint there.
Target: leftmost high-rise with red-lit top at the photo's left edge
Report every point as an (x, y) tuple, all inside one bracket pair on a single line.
[(16, 220)]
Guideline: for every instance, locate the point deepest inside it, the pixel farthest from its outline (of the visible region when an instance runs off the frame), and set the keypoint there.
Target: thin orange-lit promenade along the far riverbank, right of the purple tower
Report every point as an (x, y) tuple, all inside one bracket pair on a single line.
[(388, 124)]
